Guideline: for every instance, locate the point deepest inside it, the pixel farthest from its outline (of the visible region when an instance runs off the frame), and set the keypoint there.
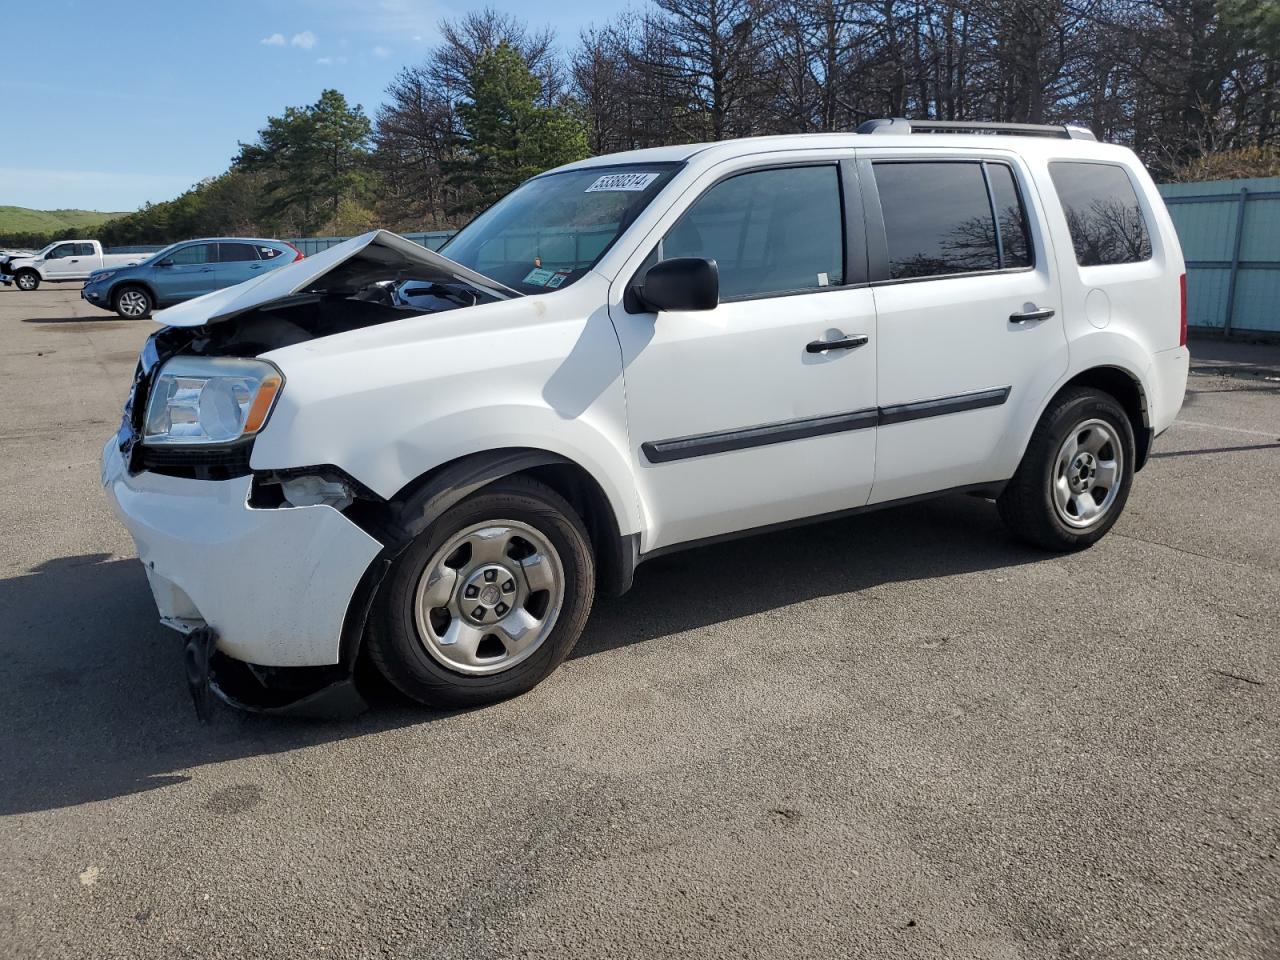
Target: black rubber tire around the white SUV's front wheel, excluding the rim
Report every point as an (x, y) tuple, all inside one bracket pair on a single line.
[(394, 642)]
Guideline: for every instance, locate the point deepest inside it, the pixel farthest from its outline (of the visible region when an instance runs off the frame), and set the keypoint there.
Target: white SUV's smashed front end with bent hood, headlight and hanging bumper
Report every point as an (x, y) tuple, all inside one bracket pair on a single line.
[(180, 478)]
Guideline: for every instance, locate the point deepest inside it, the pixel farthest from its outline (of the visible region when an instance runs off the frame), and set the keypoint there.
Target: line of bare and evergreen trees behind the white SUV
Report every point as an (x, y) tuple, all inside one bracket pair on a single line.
[(1194, 86)]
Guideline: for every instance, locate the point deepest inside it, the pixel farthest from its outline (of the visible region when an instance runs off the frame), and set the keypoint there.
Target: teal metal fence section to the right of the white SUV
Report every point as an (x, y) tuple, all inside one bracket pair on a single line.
[(1231, 236)]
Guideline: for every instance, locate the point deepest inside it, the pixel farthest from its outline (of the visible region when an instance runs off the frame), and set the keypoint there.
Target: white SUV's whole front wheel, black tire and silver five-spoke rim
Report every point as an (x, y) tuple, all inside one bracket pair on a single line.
[(488, 601)]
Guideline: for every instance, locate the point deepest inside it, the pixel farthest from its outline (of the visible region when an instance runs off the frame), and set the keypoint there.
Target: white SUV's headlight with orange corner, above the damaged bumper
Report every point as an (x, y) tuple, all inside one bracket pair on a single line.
[(211, 400)]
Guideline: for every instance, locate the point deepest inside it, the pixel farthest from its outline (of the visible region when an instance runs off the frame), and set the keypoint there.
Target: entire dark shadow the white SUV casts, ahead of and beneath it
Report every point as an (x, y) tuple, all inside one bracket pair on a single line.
[(95, 705)]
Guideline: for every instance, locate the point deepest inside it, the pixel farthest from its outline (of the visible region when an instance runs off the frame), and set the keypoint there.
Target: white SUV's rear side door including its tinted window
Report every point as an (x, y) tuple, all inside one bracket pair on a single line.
[(970, 314)]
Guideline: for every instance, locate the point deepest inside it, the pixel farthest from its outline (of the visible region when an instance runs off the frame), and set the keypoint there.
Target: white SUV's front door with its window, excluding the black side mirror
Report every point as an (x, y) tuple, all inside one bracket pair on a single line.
[(738, 417)]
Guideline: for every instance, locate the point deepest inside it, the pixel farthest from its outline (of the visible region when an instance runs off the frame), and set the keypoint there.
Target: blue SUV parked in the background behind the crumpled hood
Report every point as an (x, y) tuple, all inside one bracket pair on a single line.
[(185, 271)]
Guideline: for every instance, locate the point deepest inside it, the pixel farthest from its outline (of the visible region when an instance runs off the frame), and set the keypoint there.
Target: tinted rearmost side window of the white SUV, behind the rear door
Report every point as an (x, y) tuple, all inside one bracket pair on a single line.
[(1103, 213)]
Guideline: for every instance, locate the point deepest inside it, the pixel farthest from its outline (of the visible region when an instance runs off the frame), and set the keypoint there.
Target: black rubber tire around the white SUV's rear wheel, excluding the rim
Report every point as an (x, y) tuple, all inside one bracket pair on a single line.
[(1027, 505)]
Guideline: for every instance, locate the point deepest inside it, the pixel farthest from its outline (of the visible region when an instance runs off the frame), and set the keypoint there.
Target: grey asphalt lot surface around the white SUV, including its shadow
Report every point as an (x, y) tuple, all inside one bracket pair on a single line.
[(903, 735)]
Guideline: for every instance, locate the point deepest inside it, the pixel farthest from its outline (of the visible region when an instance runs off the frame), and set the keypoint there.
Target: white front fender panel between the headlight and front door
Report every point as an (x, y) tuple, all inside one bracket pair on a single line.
[(391, 408)]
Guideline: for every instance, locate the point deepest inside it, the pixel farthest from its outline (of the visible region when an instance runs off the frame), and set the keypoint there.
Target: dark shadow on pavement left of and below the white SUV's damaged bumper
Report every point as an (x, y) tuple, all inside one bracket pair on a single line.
[(94, 700)]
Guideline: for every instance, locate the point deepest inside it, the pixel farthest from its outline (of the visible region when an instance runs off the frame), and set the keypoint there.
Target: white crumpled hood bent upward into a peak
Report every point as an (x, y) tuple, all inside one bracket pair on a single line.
[(378, 250)]
